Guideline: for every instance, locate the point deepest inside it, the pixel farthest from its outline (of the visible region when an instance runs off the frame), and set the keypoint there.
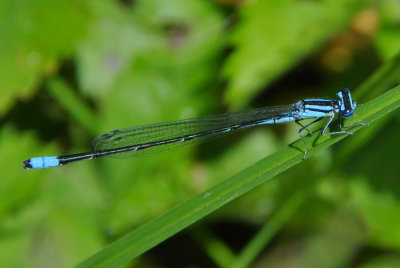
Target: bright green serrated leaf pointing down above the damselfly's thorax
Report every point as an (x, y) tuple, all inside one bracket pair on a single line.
[(274, 36)]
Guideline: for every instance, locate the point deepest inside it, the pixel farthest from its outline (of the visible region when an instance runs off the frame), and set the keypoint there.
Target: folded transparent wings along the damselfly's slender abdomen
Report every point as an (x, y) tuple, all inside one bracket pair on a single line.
[(157, 138)]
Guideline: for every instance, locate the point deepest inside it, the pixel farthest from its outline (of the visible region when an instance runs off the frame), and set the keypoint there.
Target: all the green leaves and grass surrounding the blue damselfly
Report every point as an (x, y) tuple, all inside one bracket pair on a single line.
[(71, 70)]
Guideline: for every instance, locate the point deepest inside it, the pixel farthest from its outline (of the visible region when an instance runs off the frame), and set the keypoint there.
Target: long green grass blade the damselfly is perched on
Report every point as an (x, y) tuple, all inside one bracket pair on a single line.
[(148, 235)]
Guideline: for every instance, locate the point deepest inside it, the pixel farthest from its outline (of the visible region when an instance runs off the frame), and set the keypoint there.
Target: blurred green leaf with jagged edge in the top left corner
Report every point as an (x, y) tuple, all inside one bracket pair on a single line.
[(35, 35)]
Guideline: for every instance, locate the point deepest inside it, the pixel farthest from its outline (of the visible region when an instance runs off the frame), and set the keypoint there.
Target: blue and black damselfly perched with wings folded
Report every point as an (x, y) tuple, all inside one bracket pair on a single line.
[(156, 138)]
